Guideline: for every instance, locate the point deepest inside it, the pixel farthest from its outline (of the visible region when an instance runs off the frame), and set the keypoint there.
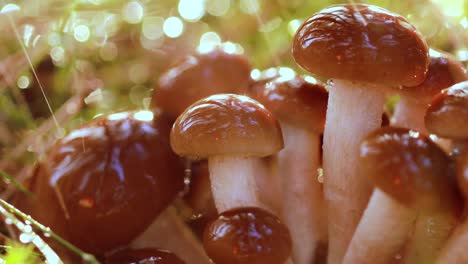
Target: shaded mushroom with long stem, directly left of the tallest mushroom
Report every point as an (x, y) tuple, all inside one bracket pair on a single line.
[(300, 107)]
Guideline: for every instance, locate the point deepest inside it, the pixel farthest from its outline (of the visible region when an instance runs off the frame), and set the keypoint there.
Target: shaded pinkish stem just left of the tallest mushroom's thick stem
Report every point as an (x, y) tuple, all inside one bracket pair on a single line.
[(303, 203)]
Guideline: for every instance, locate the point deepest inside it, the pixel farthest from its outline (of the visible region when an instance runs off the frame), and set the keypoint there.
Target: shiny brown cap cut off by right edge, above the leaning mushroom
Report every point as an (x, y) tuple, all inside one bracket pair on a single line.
[(447, 115)]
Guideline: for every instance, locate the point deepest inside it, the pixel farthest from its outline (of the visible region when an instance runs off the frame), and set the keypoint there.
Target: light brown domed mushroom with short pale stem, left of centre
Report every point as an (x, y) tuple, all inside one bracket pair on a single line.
[(233, 132)]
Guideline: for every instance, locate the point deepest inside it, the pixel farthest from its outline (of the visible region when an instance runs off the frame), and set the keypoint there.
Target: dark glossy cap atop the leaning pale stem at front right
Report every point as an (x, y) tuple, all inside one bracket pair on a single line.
[(408, 166)]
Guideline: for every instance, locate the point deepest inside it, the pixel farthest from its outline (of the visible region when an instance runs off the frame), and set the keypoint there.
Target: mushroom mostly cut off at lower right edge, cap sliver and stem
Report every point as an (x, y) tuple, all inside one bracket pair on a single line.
[(455, 249)]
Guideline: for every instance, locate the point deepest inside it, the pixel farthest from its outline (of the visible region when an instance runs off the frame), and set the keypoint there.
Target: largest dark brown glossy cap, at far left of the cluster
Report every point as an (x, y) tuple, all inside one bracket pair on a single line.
[(108, 180)]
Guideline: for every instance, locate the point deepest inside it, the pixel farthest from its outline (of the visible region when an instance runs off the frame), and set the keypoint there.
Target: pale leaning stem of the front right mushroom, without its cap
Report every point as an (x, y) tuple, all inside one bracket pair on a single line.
[(383, 230)]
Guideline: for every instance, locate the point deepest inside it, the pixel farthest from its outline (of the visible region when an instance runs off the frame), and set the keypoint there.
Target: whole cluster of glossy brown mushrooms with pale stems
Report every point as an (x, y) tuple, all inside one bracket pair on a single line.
[(278, 167)]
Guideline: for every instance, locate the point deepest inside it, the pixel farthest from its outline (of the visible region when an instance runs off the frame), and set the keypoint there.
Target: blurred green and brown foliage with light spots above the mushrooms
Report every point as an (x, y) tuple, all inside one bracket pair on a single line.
[(64, 62)]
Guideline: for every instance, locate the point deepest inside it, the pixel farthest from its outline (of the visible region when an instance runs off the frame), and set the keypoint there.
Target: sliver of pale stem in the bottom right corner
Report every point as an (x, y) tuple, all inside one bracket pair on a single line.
[(455, 250)]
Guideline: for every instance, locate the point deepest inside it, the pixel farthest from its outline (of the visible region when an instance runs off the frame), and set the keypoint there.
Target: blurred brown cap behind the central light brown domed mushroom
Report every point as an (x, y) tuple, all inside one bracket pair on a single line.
[(198, 76)]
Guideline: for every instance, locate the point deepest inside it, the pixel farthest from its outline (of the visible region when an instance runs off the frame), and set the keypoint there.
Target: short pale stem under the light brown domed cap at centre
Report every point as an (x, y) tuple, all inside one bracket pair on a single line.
[(233, 182)]
